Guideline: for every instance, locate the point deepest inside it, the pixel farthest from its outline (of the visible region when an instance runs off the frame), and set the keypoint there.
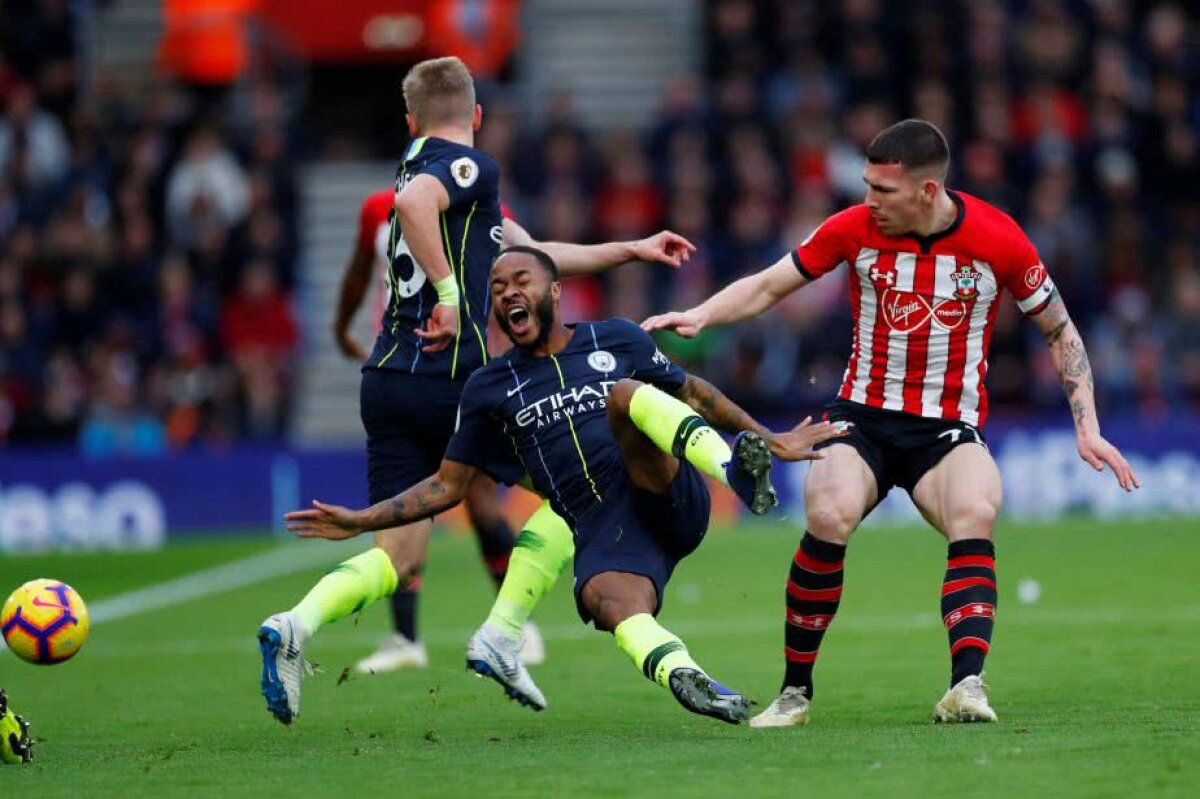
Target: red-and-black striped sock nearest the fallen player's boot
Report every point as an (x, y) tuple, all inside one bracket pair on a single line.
[(814, 591)]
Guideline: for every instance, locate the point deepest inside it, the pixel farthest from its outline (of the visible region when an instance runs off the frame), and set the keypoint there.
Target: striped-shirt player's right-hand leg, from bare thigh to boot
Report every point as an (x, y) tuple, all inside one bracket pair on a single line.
[(962, 498)]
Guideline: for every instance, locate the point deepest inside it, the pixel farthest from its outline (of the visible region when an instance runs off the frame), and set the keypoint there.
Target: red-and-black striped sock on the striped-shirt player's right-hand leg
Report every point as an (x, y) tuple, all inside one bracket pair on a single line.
[(969, 605)]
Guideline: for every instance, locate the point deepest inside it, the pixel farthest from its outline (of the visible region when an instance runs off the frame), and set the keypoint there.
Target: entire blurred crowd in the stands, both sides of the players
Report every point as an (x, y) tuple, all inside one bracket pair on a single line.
[(149, 244)]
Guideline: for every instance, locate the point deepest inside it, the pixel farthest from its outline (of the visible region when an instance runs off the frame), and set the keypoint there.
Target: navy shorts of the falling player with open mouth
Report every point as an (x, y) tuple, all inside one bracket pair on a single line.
[(643, 533)]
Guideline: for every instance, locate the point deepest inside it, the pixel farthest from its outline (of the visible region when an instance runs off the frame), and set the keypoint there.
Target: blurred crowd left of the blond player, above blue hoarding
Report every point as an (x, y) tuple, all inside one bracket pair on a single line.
[(148, 244)]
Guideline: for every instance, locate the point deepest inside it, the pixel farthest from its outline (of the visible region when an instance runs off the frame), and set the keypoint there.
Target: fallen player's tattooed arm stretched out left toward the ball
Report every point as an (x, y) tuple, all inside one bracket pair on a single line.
[(434, 495)]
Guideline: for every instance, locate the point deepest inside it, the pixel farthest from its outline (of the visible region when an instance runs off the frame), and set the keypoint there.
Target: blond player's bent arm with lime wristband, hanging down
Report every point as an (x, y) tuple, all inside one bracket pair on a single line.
[(419, 207)]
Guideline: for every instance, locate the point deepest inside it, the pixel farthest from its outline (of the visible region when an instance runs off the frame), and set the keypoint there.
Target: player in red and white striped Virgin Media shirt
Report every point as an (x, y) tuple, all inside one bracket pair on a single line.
[(928, 268)]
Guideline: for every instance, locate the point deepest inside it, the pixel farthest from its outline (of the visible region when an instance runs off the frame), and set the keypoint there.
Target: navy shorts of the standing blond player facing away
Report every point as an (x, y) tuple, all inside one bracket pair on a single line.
[(410, 420)]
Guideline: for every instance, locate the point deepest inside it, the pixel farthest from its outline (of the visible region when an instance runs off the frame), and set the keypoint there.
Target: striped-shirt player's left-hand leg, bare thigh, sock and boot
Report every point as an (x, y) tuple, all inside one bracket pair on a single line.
[(838, 492)]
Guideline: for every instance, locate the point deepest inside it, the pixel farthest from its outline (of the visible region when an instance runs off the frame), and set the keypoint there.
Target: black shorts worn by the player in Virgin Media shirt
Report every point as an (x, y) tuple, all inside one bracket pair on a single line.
[(899, 448)]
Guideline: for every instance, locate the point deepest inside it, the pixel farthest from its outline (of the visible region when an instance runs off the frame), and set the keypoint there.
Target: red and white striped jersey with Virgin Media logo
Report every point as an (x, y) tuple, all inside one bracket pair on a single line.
[(925, 307)]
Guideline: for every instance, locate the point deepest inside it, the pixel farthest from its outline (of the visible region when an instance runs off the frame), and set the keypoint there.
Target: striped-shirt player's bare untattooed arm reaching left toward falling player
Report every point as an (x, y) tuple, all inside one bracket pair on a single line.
[(740, 301)]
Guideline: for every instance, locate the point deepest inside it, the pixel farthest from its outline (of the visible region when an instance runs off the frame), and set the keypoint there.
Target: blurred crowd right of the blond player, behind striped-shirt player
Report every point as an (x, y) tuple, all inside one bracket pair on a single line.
[(1081, 118)]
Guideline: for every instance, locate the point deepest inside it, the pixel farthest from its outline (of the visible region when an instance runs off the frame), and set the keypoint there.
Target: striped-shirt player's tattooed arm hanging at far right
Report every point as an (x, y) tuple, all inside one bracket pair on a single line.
[(1076, 374)]
